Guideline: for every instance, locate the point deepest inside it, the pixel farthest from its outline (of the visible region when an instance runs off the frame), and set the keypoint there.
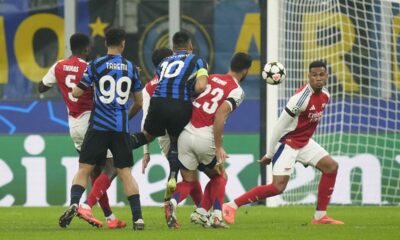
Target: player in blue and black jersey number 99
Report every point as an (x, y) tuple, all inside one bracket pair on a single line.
[(114, 78)]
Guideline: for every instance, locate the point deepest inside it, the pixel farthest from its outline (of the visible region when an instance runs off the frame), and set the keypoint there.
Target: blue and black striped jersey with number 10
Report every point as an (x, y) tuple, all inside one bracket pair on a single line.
[(177, 76)]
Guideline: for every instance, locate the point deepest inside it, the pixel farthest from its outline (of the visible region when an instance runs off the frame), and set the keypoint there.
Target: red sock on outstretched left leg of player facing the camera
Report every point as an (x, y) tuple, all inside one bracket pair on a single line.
[(257, 193)]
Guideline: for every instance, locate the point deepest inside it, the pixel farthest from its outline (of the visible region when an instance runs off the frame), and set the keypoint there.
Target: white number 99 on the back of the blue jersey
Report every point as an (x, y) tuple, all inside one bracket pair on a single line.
[(108, 95)]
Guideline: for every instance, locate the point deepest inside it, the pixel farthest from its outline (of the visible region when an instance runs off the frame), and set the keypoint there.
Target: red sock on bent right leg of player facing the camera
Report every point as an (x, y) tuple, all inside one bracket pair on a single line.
[(325, 189)]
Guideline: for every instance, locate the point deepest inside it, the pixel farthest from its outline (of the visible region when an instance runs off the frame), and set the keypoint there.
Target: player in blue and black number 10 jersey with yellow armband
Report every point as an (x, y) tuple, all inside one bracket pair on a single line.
[(181, 76)]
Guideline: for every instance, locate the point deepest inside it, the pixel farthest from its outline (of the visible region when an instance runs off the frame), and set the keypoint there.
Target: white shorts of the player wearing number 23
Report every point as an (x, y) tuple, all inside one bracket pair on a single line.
[(195, 148)]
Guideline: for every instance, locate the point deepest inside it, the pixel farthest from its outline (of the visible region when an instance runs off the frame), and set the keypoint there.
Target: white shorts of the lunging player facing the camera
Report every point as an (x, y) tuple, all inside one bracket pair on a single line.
[(285, 157)]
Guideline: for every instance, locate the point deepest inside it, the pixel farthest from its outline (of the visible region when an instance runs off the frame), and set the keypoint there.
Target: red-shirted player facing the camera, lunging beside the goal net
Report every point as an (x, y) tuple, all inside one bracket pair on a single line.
[(291, 141)]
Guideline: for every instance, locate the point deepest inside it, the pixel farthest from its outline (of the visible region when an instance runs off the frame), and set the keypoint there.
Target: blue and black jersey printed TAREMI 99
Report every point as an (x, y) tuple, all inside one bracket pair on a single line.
[(114, 77)]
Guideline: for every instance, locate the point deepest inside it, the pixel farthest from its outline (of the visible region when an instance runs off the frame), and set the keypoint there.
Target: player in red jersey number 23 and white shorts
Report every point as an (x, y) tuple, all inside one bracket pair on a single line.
[(200, 143)]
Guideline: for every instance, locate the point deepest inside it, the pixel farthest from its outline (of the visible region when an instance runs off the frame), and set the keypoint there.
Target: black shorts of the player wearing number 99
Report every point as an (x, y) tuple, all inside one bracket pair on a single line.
[(95, 145)]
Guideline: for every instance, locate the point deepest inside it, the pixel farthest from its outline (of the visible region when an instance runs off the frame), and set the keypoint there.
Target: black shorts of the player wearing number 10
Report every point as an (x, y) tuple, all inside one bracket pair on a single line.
[(167, 115)]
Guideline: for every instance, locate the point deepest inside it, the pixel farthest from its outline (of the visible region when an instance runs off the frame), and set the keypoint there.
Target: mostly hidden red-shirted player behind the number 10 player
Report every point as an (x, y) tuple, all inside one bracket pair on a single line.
[(164, 142)]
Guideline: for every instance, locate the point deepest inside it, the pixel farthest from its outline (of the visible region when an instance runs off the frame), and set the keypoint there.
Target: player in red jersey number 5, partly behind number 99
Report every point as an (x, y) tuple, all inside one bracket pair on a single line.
[(66, 74)]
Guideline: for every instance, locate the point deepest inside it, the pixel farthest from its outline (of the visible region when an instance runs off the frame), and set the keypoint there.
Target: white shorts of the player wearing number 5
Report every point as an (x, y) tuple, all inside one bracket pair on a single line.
[(77, 130)]
